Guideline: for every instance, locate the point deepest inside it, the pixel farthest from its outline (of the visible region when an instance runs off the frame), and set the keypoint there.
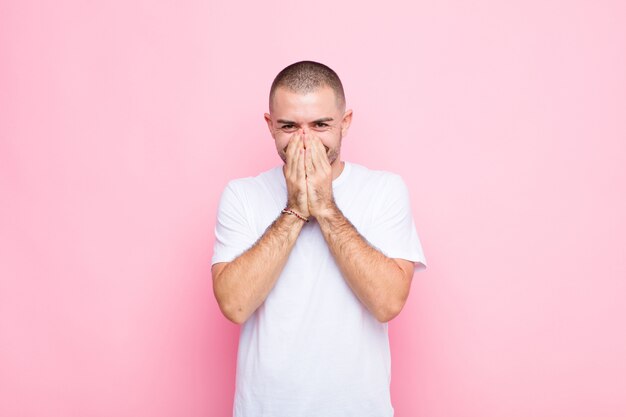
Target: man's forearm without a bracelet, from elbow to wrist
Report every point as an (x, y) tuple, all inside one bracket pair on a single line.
[(375, 278)]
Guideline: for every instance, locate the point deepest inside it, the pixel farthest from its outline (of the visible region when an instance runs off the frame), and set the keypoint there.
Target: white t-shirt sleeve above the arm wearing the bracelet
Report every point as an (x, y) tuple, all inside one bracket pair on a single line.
[(233, 232)]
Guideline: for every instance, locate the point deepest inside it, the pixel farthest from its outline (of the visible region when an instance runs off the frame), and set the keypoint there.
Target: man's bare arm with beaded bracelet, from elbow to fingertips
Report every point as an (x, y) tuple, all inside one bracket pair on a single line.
[(241, 286)]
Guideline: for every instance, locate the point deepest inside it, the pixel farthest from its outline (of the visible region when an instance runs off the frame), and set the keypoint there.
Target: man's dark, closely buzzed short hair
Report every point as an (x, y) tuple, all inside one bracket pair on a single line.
[(308, 76)]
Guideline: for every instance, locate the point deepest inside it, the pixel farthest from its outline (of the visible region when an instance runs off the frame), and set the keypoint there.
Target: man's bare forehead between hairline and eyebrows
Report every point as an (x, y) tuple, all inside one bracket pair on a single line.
[(291, 105)]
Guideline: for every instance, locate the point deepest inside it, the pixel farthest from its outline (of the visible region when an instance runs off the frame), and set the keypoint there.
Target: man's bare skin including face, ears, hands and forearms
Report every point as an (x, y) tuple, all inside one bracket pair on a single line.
[(307, 130)]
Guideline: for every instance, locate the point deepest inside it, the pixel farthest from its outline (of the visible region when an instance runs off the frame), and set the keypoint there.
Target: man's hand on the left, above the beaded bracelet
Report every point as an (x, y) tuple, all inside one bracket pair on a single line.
[(295, 176)]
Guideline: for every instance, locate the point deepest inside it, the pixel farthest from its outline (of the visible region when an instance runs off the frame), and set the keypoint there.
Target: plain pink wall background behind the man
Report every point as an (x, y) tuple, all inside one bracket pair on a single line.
[(121, 121)]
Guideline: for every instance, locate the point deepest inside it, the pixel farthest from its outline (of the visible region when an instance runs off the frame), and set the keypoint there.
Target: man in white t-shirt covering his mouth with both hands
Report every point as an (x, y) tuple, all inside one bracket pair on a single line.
[(313, 258)]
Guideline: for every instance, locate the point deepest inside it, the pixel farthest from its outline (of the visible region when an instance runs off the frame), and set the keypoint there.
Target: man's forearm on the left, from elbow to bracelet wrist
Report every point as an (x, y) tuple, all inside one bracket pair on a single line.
[(243, 284)]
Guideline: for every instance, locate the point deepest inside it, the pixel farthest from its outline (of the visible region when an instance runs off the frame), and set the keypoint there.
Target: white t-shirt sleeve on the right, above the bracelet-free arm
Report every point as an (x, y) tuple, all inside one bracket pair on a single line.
[(393, 231)]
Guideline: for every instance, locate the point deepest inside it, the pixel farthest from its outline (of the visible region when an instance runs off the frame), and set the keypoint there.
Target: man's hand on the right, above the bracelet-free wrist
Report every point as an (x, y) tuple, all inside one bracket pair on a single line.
[(319, 177)]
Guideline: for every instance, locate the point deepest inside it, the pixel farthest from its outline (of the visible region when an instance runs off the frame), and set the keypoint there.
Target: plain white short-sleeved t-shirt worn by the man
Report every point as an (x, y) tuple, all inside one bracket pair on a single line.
[(312, 348)]
